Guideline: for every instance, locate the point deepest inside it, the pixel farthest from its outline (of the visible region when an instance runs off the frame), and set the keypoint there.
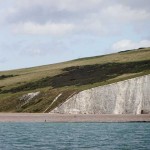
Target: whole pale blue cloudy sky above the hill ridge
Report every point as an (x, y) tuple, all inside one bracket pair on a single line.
[(40, 32)]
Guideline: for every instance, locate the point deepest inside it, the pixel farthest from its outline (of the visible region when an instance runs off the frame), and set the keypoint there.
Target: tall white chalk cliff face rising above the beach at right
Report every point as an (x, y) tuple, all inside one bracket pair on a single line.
[(126, 97)]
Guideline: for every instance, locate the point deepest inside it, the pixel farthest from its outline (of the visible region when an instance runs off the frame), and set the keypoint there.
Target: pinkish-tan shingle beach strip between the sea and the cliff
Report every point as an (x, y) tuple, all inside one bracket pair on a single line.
[(72, 118)]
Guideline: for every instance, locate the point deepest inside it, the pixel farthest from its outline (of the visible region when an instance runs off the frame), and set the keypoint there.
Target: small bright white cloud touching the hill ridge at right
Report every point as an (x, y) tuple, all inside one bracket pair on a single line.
[(129, 44)]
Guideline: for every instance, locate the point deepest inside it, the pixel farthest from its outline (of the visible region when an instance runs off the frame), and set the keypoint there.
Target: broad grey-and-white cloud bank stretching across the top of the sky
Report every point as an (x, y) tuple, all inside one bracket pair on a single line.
[(59, 17)]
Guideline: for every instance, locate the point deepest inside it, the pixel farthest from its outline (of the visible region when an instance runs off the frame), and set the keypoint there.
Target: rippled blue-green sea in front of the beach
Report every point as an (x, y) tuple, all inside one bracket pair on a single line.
[(74, 136)]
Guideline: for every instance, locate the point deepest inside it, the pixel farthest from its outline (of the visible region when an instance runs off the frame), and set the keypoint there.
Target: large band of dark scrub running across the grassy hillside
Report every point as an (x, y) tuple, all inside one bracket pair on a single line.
[(83, 75)]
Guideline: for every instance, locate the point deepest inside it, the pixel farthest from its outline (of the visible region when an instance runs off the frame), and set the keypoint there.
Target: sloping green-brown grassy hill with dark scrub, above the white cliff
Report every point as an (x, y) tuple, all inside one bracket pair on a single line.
[(67, 79)]
